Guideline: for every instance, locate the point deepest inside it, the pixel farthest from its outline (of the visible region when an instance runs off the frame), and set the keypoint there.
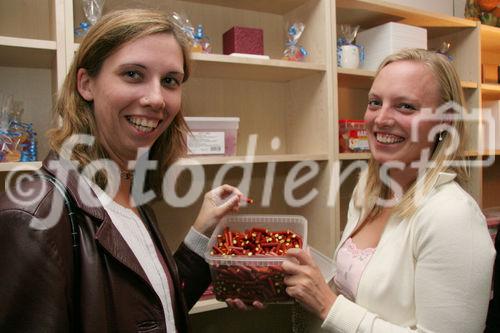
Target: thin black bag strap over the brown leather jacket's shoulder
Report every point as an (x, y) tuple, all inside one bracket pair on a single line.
[(73, 211)]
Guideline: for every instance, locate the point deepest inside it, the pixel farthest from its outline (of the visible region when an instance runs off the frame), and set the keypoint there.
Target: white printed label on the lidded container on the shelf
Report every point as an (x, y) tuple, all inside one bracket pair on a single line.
[(206, 143)]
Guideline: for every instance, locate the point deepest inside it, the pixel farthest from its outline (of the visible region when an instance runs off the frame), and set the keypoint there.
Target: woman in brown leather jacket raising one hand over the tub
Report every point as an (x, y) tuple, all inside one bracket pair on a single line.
[(121, 98)]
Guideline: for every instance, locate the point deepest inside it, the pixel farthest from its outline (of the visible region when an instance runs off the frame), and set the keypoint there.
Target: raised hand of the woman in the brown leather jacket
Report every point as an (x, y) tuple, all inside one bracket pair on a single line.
[(216, 204)]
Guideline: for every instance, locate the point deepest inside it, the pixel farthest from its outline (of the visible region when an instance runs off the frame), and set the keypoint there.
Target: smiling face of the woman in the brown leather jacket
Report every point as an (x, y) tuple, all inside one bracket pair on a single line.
[(136, 94)]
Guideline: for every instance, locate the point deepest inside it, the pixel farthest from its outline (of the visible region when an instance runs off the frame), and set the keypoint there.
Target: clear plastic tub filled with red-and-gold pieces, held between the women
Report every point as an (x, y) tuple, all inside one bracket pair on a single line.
[(257, 277)]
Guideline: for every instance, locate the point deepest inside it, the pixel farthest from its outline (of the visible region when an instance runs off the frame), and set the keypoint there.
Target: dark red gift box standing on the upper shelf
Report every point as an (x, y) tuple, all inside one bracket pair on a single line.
[(243, 40)]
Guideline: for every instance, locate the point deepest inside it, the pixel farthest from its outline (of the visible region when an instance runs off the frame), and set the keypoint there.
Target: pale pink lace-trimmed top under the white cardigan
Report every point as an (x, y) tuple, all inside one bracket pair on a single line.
[(351, 263)]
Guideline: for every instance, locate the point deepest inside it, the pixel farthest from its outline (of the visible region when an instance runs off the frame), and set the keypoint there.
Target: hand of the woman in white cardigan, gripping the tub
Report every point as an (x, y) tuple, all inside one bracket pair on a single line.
[(306, 283)]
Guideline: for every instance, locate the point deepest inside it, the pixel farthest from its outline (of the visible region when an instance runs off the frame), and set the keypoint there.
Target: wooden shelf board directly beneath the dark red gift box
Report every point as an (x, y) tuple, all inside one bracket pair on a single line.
[(230, 67)]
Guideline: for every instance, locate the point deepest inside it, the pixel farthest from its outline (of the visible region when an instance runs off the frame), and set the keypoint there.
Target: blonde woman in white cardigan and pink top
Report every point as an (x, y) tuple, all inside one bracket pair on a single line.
[(415, 255)]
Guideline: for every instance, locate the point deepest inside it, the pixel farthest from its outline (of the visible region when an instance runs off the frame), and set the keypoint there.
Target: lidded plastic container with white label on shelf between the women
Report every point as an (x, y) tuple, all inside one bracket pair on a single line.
[(212, 135)]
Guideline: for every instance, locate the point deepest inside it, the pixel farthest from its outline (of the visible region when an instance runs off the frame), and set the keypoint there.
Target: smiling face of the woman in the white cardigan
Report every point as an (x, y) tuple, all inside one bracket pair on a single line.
[(398, 97)]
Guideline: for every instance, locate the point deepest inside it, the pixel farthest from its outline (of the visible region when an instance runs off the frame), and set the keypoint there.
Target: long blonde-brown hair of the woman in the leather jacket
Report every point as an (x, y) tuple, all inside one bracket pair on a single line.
[(110, 33)]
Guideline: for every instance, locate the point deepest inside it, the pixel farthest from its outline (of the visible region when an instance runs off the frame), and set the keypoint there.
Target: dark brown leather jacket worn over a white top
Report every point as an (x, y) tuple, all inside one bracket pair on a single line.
[(37, 281)]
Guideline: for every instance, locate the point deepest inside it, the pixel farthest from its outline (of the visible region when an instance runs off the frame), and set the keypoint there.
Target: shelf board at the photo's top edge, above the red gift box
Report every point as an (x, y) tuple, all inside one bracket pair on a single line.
[(274, 6)]
